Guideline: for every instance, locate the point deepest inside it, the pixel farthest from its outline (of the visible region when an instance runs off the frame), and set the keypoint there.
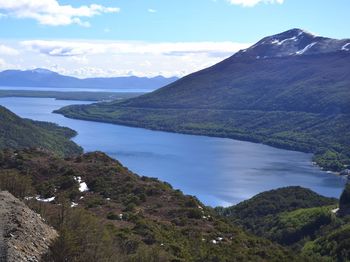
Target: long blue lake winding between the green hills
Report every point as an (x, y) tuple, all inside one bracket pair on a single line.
[(218, 171)]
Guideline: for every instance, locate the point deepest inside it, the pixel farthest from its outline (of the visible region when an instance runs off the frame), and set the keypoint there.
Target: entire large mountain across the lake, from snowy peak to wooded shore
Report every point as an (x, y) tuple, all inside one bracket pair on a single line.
[(290, 90)]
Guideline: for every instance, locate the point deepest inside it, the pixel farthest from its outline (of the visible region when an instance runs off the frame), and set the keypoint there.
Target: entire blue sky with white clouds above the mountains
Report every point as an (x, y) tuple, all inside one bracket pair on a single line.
[(89, 38)]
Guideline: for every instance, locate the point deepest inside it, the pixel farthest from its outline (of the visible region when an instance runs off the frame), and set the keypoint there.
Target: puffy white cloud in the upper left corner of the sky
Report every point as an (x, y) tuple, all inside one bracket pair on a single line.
[(50, 12)]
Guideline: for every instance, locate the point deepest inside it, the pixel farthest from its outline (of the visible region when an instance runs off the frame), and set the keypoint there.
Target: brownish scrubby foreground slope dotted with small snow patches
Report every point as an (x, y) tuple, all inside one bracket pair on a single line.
[(103, 211)]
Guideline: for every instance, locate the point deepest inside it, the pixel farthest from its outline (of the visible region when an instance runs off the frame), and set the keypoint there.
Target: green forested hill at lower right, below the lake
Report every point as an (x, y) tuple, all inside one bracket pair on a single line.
[(298, 218)]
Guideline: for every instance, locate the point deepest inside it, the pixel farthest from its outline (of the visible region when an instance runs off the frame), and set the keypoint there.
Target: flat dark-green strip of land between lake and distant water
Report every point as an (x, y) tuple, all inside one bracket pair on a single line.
[(83, 96)]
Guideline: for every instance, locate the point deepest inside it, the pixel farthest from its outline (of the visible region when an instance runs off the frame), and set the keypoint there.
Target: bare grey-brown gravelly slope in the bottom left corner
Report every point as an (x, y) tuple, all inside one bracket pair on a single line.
[(24, 236)]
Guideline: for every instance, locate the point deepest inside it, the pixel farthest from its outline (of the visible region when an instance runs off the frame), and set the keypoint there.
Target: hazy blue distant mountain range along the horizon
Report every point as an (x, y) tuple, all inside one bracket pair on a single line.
[(45, 78)]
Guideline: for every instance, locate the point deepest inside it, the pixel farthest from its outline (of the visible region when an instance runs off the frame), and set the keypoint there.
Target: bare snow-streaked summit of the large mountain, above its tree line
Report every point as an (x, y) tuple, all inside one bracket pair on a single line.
[(295, 42)]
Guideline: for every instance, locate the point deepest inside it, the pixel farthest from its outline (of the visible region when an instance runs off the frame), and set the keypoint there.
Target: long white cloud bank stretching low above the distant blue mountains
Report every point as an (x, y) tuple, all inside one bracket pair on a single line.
[(118, 58)]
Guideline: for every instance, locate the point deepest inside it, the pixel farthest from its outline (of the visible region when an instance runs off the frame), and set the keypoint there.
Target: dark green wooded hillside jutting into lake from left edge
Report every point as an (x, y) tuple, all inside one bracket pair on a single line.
[(17, 133)]
